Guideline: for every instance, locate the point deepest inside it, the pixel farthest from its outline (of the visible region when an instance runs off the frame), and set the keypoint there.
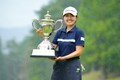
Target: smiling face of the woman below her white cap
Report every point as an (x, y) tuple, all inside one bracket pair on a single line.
[(69, 19)]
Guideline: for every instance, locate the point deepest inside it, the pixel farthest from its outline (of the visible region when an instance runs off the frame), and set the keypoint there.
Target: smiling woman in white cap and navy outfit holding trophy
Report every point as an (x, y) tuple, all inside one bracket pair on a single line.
[(70, 43)]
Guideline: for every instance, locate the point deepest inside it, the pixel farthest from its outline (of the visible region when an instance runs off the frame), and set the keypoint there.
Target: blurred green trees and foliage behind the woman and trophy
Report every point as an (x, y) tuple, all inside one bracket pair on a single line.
[(100, 21)]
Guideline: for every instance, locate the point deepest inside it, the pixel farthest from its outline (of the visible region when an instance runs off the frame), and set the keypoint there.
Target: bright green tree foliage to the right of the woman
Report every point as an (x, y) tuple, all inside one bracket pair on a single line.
[(100, 20)]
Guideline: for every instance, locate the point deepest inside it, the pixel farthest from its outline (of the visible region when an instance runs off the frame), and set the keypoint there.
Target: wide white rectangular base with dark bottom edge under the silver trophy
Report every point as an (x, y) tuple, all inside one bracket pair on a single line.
[(43, 53)]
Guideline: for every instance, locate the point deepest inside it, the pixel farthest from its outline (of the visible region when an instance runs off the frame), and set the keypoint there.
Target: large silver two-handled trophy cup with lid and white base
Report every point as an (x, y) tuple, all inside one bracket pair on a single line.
[(47, 26)]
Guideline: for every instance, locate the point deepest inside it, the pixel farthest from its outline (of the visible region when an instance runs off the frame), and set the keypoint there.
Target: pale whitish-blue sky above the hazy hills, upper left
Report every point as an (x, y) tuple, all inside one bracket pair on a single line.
[(19, 13)]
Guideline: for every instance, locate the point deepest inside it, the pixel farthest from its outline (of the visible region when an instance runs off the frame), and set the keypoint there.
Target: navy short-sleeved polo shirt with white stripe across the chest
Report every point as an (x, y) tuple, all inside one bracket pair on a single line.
[(67, 41)]
